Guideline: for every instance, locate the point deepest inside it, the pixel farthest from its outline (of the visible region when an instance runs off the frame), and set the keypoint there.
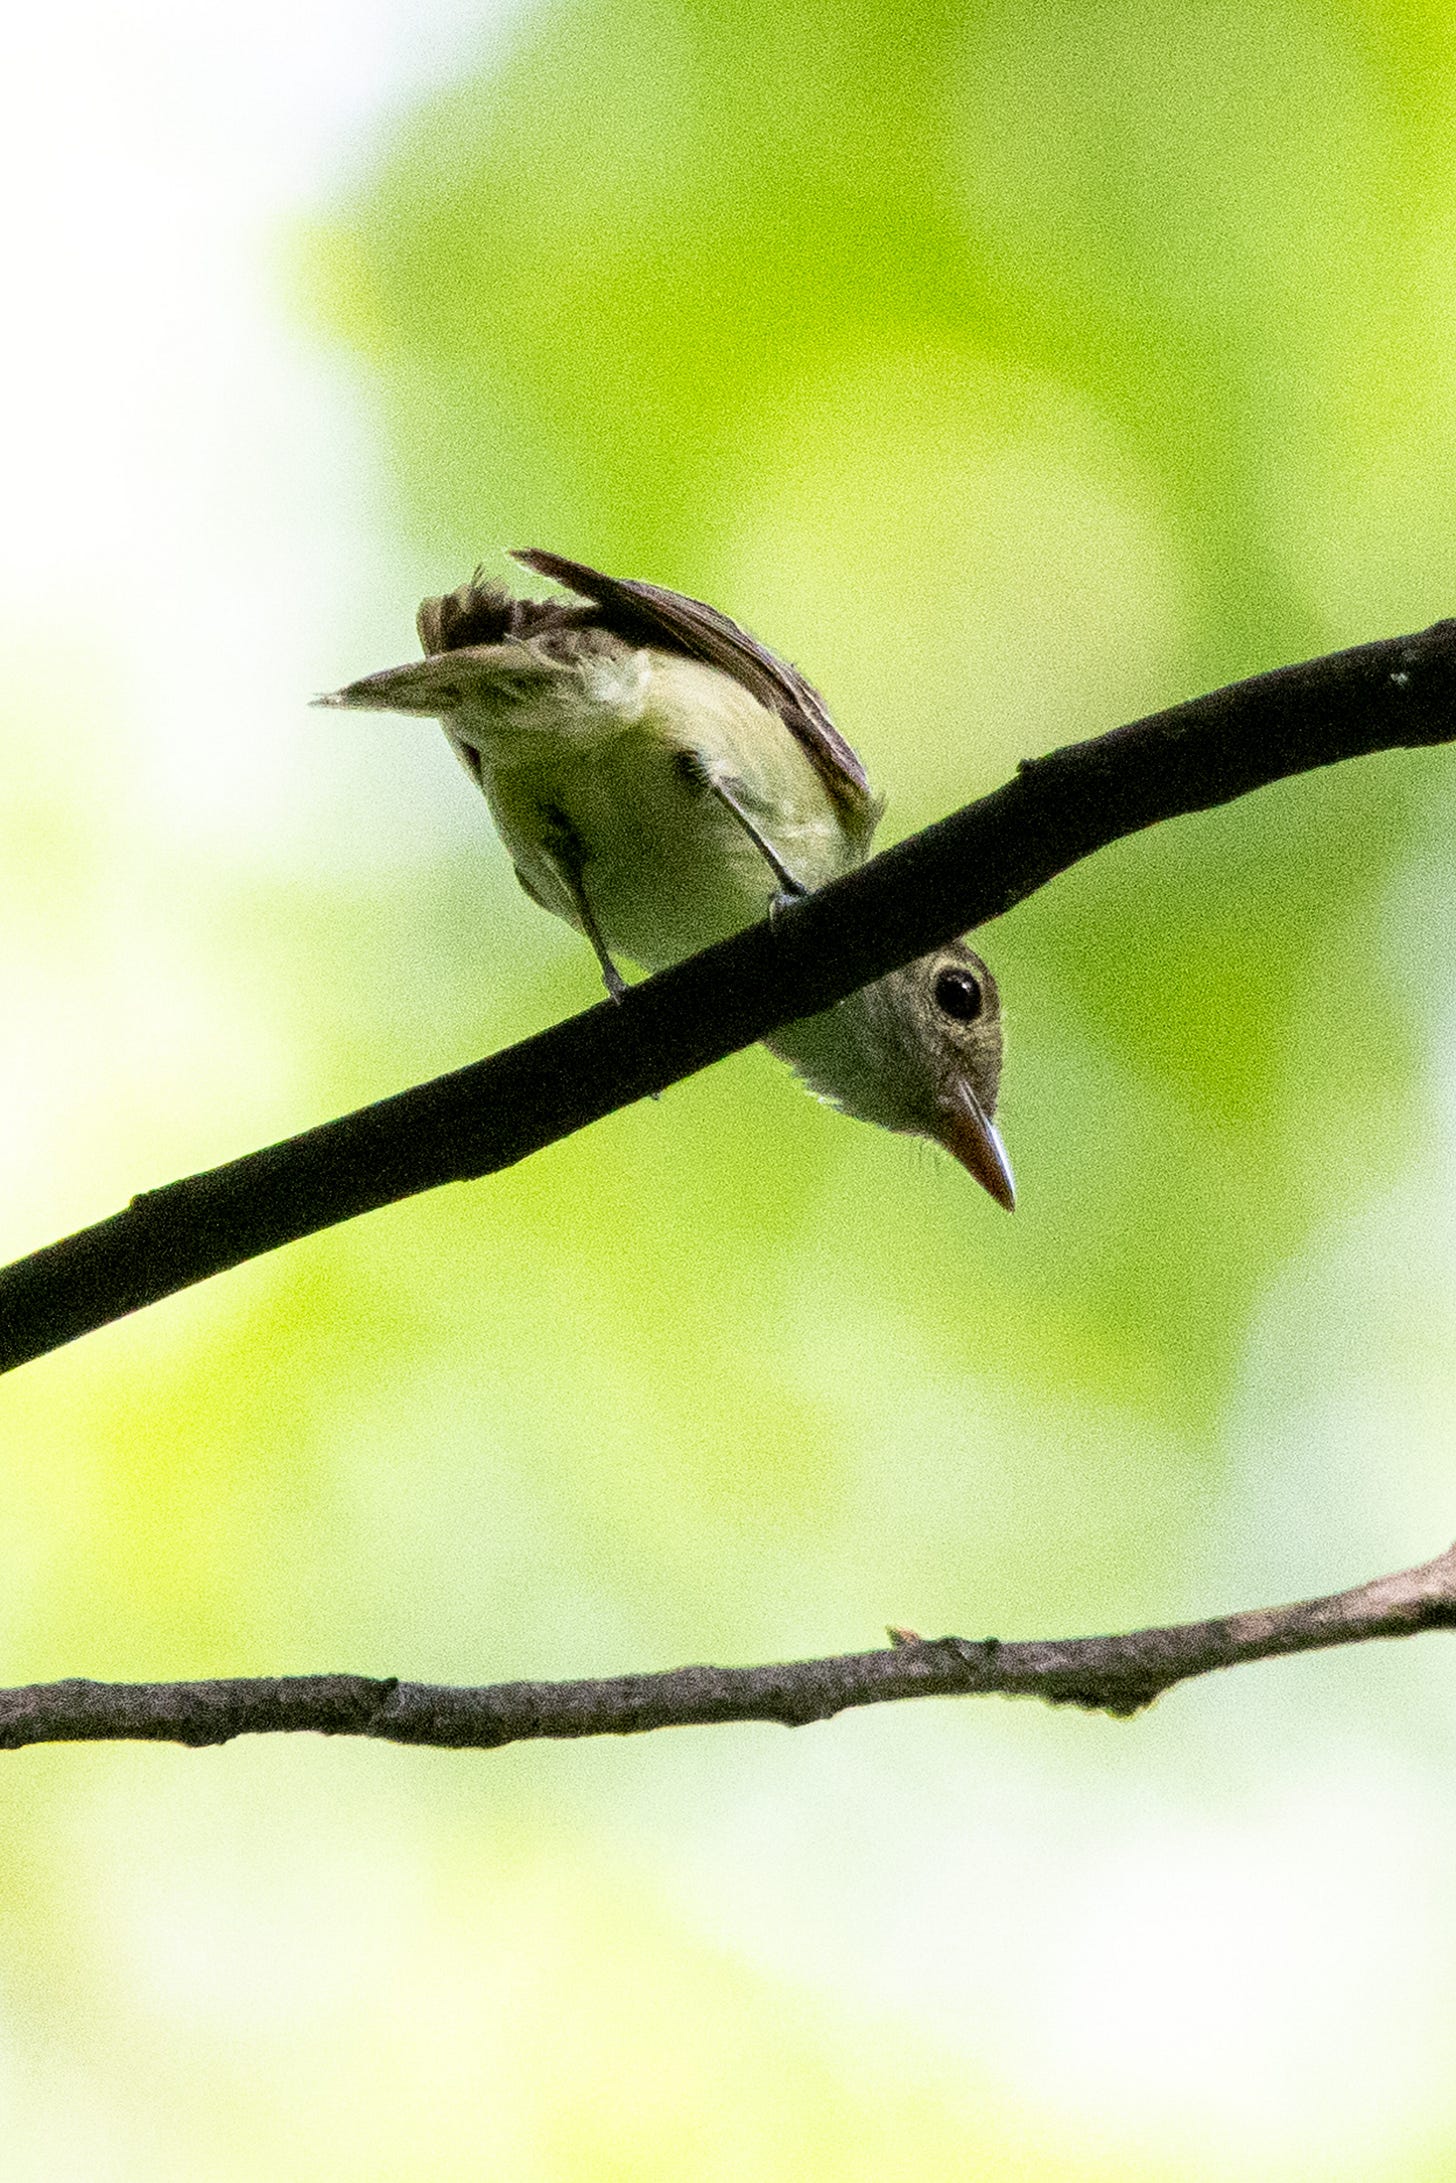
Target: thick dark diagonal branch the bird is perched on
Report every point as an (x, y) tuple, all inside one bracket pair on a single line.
[(957, 874)]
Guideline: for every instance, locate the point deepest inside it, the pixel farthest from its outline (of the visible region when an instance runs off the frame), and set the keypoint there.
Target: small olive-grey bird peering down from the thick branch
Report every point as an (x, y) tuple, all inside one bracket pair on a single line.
[(663, 780)]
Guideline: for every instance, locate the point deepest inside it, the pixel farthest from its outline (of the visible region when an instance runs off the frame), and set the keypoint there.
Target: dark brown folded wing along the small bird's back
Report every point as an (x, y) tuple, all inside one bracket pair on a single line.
[(647, 615)]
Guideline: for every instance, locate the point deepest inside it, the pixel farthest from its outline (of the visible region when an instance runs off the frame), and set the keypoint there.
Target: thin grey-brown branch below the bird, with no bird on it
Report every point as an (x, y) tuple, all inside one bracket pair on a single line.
[(1112, 1675)]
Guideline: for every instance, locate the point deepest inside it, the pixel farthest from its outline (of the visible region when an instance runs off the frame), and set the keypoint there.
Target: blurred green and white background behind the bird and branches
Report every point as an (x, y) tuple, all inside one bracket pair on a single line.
[(1016, 370)]
